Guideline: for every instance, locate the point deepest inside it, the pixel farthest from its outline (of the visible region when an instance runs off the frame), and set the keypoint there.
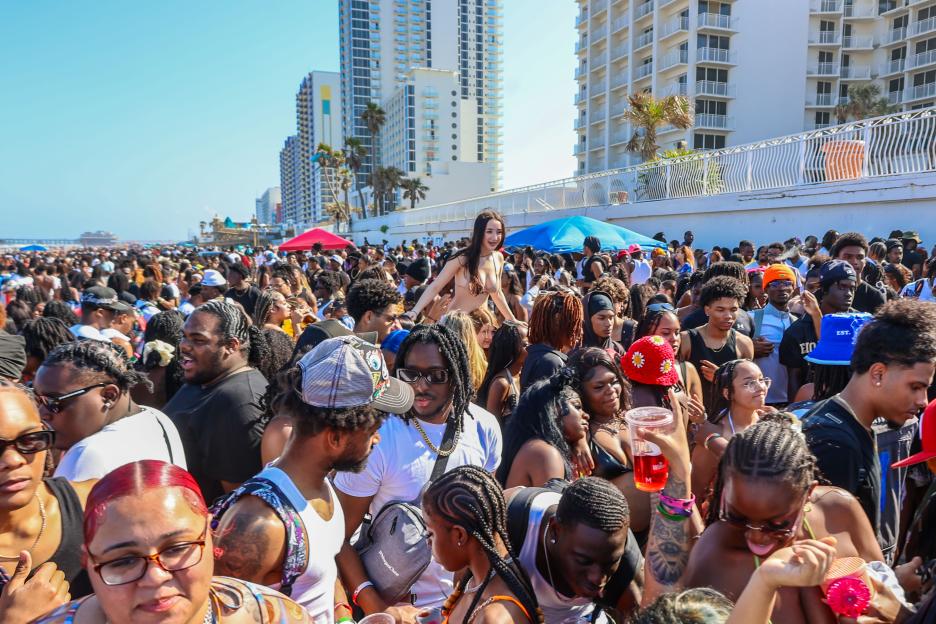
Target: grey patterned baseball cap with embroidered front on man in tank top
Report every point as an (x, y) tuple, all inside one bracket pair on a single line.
[(349, 372)]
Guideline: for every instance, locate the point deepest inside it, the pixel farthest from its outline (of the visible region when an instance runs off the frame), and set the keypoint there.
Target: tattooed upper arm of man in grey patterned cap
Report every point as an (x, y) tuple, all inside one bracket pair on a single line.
[(240, 548)]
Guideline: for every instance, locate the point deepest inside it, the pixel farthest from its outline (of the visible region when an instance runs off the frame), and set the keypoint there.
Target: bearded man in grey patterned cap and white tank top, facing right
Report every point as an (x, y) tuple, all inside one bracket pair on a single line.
[(337, 397)]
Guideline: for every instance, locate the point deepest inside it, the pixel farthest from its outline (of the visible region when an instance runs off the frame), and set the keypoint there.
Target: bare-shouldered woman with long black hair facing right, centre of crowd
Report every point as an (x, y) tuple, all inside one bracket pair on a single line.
[(548, 421)]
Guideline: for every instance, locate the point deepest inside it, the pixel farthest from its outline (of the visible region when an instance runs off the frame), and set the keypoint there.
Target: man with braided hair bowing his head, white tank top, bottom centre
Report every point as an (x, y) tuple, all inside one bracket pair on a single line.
[(577, 548)]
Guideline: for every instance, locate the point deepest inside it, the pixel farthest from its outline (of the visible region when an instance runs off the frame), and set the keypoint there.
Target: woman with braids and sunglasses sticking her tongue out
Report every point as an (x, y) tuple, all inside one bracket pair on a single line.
[(766, 498)]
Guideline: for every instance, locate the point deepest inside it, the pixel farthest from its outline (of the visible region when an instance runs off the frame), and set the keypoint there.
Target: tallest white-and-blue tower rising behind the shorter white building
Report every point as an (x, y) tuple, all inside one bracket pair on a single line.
[(383, 40)]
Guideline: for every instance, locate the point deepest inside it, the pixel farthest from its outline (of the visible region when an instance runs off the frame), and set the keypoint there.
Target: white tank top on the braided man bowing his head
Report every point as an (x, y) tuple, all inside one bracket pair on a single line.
[(557, 609)]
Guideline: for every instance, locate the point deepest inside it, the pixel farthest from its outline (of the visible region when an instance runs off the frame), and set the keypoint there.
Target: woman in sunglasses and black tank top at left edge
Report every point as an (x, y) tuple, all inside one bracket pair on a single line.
[(41, 518)]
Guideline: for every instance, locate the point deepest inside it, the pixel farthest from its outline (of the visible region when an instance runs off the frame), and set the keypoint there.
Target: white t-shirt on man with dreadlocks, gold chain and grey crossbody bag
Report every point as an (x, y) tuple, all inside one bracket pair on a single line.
[(400, 466)]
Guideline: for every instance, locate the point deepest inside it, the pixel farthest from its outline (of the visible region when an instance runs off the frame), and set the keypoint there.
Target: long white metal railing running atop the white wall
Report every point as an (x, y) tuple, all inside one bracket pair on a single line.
[(903, 143)]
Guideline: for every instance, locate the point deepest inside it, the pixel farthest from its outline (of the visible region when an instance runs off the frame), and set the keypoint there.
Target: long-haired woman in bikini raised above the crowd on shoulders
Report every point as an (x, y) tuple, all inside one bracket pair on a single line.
[(476, 271)]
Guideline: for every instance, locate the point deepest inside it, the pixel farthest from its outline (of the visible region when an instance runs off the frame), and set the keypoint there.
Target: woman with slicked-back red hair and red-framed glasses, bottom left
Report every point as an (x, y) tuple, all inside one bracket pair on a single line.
[(146, 534)]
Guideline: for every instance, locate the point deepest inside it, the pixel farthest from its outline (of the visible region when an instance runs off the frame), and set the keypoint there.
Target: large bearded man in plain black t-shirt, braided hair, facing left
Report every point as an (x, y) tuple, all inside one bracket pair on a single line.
[(218, 411)]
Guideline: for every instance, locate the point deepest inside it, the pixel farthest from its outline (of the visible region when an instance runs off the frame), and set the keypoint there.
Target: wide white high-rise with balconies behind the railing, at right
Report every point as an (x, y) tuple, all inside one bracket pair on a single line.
[(752, 69)]
